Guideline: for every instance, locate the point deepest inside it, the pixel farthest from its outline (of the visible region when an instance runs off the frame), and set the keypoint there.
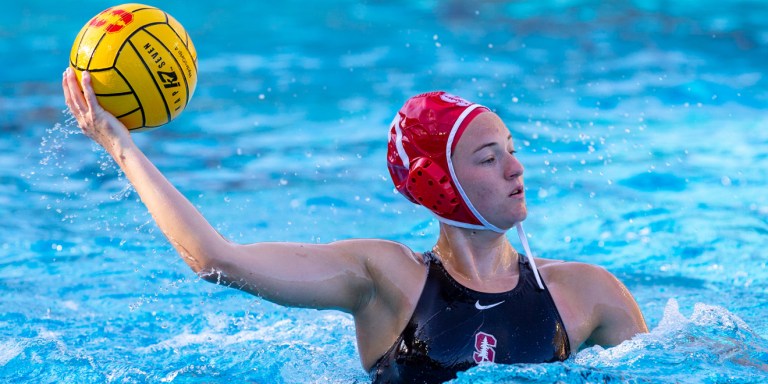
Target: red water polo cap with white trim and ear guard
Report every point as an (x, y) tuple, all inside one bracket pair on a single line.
[(422, 137)]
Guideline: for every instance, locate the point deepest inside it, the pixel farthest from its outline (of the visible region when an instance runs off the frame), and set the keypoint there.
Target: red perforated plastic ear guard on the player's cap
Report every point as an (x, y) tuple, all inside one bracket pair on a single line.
[(431, 186)]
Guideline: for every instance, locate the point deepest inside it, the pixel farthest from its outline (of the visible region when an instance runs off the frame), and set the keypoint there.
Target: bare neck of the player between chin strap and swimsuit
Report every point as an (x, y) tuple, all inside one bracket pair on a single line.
[(476, 255)]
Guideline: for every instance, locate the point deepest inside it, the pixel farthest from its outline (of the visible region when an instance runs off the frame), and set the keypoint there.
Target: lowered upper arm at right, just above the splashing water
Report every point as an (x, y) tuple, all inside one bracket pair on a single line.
[(618, 317)]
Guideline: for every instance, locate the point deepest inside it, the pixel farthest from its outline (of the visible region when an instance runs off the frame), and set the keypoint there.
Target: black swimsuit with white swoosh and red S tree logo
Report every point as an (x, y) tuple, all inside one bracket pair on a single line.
[(453, 328)]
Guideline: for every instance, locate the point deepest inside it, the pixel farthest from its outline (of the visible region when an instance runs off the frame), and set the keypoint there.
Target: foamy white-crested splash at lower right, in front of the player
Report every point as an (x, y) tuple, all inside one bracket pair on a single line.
[(711, 346)]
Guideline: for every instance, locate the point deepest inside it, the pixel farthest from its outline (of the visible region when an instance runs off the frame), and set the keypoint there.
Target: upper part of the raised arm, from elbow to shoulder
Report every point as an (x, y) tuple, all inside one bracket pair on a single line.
[(321, 276)]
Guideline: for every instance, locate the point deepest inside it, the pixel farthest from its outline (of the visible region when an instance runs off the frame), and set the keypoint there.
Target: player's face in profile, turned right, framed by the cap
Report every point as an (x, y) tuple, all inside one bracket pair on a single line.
[(489, 172)]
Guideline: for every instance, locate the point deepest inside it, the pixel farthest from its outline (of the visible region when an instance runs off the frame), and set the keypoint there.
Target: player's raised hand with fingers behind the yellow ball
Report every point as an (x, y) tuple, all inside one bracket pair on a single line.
[(96, 123)]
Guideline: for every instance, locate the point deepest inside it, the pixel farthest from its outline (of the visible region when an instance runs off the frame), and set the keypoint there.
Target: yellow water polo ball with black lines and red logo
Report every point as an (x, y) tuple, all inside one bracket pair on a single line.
[(142, 62)]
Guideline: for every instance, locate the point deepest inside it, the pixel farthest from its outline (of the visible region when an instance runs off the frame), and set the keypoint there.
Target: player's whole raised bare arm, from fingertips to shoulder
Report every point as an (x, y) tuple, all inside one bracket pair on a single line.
[(308, 275)]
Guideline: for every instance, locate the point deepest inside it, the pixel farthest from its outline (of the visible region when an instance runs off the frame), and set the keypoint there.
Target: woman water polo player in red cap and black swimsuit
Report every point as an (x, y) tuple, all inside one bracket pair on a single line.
[(420, 317)]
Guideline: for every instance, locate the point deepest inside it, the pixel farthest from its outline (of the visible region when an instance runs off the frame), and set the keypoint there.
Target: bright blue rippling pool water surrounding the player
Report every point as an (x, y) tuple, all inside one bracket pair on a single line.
[(642, 126)]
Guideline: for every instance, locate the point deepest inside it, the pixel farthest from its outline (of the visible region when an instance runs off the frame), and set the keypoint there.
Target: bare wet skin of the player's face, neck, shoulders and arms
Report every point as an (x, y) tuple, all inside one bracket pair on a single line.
[(377, 281)]
